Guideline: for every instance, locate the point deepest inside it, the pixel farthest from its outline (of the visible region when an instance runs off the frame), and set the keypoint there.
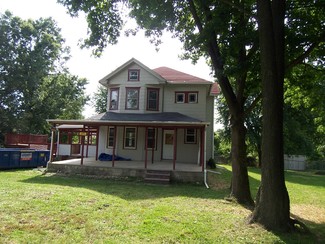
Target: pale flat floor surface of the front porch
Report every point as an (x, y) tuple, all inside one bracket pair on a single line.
[(166, 165)]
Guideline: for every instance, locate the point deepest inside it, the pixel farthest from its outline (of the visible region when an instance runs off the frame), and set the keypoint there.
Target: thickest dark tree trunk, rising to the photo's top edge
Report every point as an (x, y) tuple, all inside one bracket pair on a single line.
[(272, 201)]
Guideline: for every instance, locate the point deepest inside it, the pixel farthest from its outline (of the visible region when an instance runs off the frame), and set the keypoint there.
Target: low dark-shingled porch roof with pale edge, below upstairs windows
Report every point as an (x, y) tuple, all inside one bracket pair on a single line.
[(161, 119)]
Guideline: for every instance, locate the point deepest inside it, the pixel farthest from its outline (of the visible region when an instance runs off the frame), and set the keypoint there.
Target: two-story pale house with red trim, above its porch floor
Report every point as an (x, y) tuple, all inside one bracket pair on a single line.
[(153, 115)]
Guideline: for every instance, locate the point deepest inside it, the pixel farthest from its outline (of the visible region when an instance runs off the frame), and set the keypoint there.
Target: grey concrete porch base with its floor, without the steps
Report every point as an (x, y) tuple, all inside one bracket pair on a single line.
[(183, 172)]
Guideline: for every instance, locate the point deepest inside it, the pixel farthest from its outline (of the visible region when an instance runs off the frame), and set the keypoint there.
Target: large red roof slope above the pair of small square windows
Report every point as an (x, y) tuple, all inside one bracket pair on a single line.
[(175, 76)]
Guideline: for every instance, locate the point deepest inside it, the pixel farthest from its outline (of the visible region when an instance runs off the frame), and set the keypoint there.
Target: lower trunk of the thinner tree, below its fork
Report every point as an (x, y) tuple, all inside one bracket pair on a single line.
[(240, 183)]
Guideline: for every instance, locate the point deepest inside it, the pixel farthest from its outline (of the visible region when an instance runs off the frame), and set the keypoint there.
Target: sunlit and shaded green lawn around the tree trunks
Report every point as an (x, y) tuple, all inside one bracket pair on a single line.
[(51, 208)]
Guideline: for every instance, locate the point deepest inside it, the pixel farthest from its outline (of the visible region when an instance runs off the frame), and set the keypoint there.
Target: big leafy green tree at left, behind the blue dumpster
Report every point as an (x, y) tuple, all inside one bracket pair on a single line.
[(32, 57)]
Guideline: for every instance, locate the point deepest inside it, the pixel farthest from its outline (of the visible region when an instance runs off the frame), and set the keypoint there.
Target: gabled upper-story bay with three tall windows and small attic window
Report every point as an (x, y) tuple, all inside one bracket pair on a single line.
[(134, 88)]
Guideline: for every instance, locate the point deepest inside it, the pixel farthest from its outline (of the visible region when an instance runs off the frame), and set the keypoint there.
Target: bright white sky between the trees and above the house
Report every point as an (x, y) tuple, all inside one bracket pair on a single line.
[(84, 65)]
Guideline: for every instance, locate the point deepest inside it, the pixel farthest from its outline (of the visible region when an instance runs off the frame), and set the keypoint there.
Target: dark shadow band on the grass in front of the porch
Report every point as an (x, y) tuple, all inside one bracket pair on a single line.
[(128, 189)]
